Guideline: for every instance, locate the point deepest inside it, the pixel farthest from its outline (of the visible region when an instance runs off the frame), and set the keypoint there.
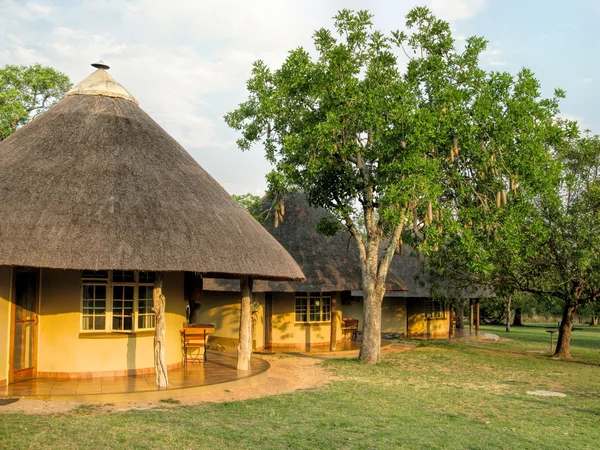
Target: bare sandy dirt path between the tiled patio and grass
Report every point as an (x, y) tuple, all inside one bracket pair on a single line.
[(288, 373)]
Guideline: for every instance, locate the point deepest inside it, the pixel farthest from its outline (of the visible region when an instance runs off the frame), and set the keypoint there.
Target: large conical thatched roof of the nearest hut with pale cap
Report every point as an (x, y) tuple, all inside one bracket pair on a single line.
[(95, 183)]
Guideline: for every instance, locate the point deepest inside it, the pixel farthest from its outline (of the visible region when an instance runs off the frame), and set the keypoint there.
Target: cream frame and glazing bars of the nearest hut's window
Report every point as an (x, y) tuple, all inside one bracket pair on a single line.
[(108, 314)]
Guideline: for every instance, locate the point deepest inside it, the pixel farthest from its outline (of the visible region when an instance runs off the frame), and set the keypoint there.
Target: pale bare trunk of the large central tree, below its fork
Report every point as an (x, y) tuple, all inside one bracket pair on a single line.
[(370, 347)]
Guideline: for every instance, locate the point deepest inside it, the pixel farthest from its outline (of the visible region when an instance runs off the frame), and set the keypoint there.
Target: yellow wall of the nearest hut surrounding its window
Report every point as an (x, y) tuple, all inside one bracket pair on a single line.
[(62, 348)]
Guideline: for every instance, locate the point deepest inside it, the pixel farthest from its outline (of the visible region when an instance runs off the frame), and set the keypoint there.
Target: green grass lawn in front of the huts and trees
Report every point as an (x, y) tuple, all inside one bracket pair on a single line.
[(439, 395)]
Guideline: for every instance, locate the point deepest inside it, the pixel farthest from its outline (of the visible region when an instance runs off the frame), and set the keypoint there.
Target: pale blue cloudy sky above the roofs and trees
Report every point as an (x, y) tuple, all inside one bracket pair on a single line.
[(187, 61)]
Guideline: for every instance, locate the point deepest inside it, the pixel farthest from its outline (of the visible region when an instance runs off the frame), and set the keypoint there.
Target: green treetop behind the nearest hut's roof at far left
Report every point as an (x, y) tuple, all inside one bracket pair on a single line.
[(26, 91)]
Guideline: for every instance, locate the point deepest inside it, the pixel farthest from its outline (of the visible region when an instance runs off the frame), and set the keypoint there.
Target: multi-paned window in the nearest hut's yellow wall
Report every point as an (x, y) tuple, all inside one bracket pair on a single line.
[(118, 300)]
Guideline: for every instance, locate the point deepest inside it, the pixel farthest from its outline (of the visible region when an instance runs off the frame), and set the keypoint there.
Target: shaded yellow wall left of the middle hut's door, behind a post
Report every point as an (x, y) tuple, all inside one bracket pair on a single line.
[(222, 309)]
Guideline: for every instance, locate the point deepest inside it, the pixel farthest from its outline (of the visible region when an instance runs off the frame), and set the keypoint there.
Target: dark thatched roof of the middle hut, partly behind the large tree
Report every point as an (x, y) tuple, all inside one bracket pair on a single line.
[(329, 263)]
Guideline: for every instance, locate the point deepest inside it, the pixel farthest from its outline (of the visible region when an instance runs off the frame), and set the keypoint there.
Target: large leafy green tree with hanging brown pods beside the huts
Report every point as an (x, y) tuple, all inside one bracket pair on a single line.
[(388, 144)]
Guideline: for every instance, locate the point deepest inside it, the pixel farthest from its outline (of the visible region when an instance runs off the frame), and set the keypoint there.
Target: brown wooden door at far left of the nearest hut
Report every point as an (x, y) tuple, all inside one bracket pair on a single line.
[(24, 324)]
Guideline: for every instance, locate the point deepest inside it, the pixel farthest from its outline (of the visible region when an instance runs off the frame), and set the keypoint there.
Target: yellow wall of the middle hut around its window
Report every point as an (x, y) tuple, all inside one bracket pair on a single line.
[(288, 333)]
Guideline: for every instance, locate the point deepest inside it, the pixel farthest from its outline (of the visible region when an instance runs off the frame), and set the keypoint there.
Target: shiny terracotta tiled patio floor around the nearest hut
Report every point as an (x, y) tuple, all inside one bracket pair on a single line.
[(219, 368)]
